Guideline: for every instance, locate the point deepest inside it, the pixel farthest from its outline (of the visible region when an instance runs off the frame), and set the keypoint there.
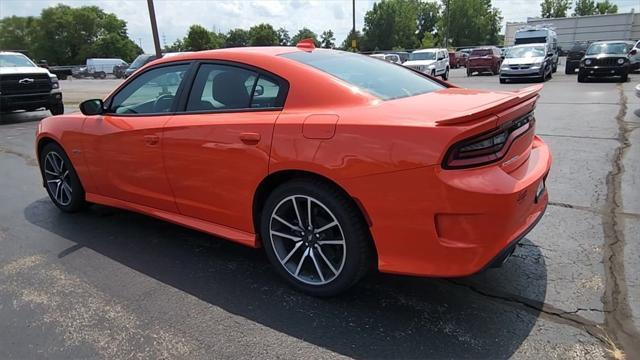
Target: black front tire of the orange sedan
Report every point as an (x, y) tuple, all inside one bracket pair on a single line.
[(76, 196)]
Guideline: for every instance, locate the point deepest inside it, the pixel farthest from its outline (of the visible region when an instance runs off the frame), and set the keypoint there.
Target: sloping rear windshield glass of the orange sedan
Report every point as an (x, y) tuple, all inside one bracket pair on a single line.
[(380, 78)]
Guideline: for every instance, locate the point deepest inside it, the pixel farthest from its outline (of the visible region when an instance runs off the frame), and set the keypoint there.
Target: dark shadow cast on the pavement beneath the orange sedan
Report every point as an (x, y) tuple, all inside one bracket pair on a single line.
[(383, 317)]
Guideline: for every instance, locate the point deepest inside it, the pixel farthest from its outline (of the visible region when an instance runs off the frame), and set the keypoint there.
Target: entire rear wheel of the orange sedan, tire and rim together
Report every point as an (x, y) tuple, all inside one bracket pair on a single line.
[(315, 237)]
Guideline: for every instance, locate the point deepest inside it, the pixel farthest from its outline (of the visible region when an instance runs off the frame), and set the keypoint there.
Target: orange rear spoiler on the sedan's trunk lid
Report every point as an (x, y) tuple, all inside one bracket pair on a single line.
[(480, 112)]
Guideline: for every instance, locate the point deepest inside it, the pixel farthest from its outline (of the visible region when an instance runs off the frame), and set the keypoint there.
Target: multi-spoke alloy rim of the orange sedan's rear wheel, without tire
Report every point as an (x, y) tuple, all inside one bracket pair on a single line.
[(307, 239)]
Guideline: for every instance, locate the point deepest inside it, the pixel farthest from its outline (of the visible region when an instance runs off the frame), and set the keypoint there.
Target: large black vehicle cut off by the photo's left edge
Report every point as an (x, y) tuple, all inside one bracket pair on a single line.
[(25, 86)]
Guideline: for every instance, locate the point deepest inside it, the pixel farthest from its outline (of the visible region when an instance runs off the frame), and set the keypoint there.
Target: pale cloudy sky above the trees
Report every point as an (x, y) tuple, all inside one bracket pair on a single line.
[(175, 16)]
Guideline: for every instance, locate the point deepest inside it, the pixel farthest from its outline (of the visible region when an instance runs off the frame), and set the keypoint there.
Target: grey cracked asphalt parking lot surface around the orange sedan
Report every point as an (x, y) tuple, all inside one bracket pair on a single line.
[(108, 283)]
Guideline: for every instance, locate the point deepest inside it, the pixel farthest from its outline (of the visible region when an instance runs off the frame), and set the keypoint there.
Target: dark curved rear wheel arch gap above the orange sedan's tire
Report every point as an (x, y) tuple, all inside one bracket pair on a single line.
[(273, 180)]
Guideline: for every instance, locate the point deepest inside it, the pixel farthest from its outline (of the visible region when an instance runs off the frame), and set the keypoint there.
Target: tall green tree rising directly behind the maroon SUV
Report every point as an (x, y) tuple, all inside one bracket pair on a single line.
[(470, 22)]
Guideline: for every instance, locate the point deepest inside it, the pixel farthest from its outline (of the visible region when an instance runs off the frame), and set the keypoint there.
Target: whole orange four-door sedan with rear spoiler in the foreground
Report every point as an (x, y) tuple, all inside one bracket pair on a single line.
[(335, 163)]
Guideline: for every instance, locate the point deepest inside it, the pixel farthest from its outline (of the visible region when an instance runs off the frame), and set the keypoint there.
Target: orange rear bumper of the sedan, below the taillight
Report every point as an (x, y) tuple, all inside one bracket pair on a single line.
[(451, 223)]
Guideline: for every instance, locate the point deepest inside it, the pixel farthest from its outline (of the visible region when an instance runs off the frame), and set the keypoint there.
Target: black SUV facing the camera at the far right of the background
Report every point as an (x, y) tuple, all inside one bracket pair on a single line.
[(606, 59)]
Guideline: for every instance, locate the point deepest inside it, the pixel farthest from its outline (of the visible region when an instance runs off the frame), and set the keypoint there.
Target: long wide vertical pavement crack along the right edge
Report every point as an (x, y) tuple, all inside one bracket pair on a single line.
[(618, 322)]
